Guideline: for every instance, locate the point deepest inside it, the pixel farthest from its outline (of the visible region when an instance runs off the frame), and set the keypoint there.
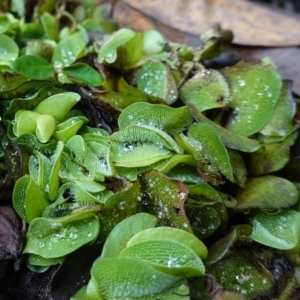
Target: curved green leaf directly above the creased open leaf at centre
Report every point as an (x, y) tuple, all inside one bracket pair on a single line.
[(162, 117)]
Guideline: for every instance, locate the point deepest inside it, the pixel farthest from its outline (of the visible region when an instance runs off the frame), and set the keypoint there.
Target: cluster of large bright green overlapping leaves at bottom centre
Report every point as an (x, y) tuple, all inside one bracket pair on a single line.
[(137, 254)]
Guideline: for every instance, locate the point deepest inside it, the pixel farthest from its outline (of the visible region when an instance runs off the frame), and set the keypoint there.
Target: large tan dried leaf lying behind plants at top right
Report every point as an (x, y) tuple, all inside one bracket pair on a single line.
[(253, 24)]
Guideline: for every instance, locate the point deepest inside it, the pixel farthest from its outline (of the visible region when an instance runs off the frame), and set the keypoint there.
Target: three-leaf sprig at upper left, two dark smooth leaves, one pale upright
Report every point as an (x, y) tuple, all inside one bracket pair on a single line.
[(66, 52)]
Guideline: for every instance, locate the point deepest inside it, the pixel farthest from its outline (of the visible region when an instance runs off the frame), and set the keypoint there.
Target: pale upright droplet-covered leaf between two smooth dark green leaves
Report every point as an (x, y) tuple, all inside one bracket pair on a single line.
[(68, 50)]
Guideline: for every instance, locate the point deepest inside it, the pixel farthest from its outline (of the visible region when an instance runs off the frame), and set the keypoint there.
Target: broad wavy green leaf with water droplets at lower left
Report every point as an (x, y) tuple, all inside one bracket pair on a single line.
[(52, 238)]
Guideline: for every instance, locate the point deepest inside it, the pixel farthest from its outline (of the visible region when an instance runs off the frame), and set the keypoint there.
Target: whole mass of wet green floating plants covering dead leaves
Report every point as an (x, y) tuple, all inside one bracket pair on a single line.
[(130, 139)]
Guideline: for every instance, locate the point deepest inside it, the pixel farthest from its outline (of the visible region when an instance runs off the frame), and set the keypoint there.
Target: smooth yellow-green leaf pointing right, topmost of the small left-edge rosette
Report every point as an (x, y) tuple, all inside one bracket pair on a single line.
[(58, 105)]
